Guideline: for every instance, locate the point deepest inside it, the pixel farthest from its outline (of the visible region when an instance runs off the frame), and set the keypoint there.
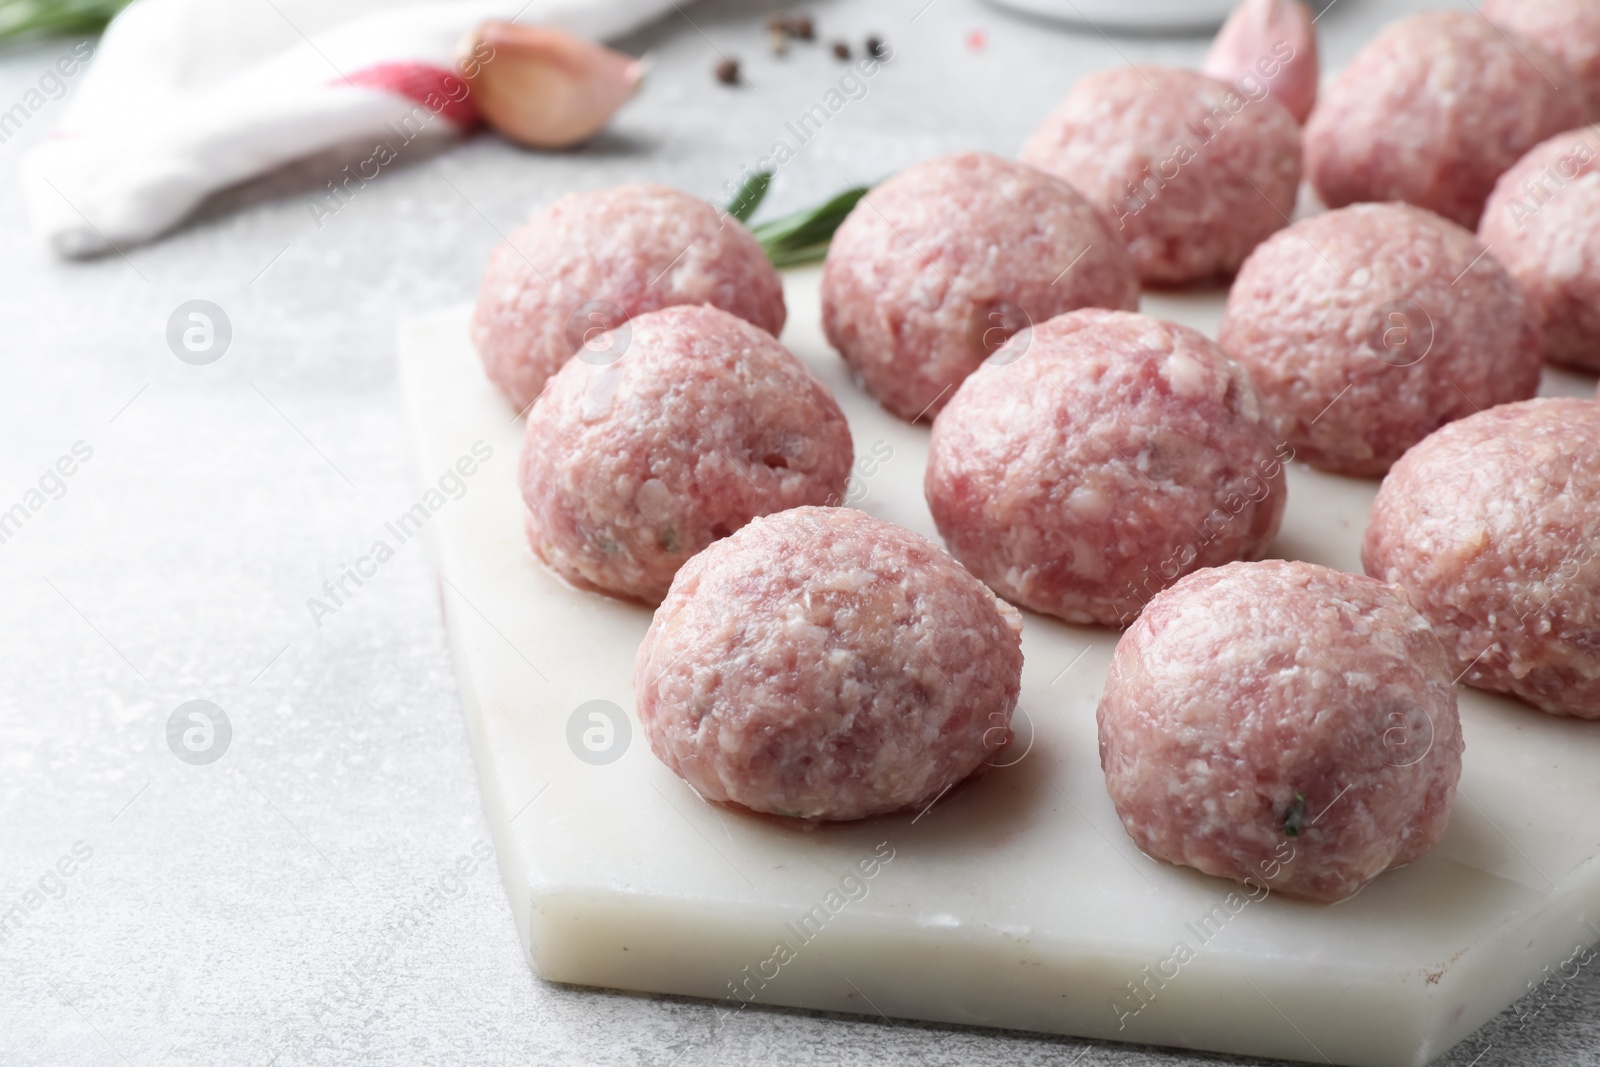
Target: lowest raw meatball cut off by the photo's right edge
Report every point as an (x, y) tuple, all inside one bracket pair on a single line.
[(1494, 529)]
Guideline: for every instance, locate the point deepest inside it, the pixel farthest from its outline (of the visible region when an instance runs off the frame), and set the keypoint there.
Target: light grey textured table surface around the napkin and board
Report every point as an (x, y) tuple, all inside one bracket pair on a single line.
[(300, 901)]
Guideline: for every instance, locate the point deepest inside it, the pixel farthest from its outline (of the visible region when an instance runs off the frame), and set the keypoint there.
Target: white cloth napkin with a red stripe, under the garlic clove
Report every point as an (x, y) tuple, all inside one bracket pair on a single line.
[(190, 97)]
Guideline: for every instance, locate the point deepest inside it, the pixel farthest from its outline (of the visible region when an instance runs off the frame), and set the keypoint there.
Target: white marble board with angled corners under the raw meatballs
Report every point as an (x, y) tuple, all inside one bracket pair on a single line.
[(1015, 901)]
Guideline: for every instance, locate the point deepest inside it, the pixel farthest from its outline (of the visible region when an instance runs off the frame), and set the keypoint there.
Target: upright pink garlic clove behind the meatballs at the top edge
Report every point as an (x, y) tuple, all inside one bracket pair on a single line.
[(1274, 44)]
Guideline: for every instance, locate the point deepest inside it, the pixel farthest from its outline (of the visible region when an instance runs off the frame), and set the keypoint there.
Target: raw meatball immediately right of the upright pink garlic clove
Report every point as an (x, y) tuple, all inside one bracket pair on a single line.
[(1434, 111)]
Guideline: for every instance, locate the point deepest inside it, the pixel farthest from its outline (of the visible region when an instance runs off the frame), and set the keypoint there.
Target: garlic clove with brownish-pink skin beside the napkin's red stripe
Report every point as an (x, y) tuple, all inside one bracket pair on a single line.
[(543, 87)]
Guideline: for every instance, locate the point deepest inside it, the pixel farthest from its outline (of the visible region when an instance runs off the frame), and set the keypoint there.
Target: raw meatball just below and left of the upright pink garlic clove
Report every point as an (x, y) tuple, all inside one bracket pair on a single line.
[(1191, 172)]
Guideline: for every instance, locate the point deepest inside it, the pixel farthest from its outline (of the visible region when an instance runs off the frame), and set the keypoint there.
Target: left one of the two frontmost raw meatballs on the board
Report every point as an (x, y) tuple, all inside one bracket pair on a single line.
[(826, 665)]
